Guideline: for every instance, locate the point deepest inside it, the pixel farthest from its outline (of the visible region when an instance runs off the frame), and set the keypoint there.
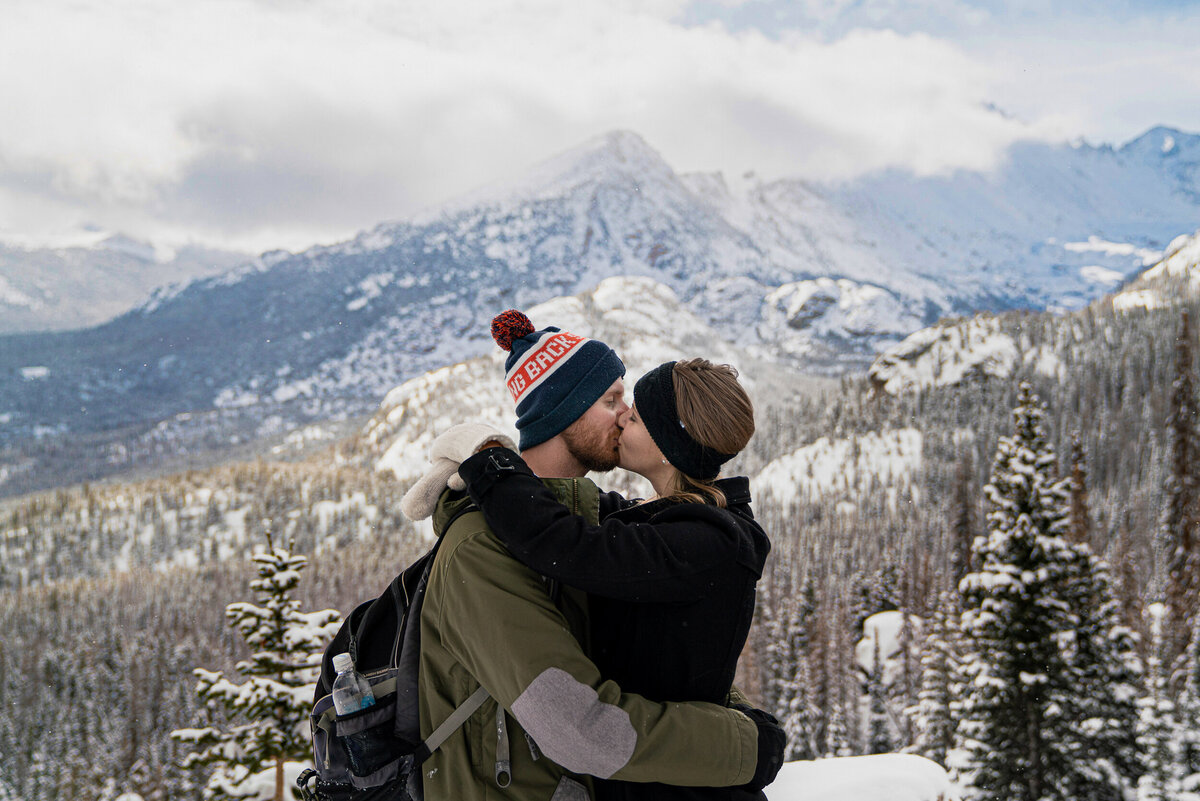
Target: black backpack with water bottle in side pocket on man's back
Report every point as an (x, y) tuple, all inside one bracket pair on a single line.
[(376, 754)]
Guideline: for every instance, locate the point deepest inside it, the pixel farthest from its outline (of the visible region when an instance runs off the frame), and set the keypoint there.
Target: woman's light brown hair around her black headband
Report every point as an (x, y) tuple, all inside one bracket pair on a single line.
[(717, 413)]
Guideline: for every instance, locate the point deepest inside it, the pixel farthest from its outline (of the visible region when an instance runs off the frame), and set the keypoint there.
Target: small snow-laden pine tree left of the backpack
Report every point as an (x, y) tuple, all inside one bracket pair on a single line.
[(267, 714)]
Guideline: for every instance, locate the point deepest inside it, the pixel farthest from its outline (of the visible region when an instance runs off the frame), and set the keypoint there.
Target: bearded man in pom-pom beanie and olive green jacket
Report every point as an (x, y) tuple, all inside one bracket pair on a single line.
[(490, 622)]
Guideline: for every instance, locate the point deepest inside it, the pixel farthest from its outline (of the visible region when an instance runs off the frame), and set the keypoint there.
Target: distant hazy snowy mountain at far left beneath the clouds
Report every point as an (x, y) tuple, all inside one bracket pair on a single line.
[(92, 278)]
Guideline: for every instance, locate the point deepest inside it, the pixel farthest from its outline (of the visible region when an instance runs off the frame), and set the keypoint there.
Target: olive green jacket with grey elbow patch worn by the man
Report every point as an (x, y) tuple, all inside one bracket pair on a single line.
[(489, 621)]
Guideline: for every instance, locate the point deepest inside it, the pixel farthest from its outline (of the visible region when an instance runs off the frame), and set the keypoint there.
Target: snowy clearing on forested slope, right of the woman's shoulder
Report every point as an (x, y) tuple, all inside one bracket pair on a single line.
[(843, 466)]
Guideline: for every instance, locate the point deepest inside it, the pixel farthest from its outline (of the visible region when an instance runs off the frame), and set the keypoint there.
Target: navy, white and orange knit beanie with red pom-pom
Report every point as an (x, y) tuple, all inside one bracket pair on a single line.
[(553, 376)]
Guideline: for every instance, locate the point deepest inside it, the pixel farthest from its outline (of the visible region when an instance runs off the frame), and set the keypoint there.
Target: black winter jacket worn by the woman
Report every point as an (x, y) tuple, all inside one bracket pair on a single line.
[(671, 586)]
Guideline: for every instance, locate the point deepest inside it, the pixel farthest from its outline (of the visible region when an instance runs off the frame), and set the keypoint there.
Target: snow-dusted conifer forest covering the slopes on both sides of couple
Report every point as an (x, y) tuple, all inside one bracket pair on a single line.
[(1037, 568)]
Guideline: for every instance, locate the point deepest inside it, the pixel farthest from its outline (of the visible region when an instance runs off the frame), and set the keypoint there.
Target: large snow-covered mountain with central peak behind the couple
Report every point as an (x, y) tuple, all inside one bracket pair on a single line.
[(821, 276)]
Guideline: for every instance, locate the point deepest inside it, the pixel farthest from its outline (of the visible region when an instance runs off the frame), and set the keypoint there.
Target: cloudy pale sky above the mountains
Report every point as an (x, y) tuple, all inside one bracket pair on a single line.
[(260, 124)]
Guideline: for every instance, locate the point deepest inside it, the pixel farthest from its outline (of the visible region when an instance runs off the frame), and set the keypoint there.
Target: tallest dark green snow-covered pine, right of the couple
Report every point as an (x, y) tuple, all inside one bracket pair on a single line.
[(1033, 657)]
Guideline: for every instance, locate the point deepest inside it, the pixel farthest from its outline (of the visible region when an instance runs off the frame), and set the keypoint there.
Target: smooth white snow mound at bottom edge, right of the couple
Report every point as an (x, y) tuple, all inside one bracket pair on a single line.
[(881, 778)]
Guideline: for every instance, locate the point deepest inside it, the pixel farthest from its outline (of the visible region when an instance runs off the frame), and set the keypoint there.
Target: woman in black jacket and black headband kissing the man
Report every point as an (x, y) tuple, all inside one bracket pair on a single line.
[(671, 581)]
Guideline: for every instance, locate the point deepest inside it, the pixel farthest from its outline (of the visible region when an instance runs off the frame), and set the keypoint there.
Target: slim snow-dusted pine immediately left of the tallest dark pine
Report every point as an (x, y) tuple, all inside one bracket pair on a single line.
[(933, 715)]
